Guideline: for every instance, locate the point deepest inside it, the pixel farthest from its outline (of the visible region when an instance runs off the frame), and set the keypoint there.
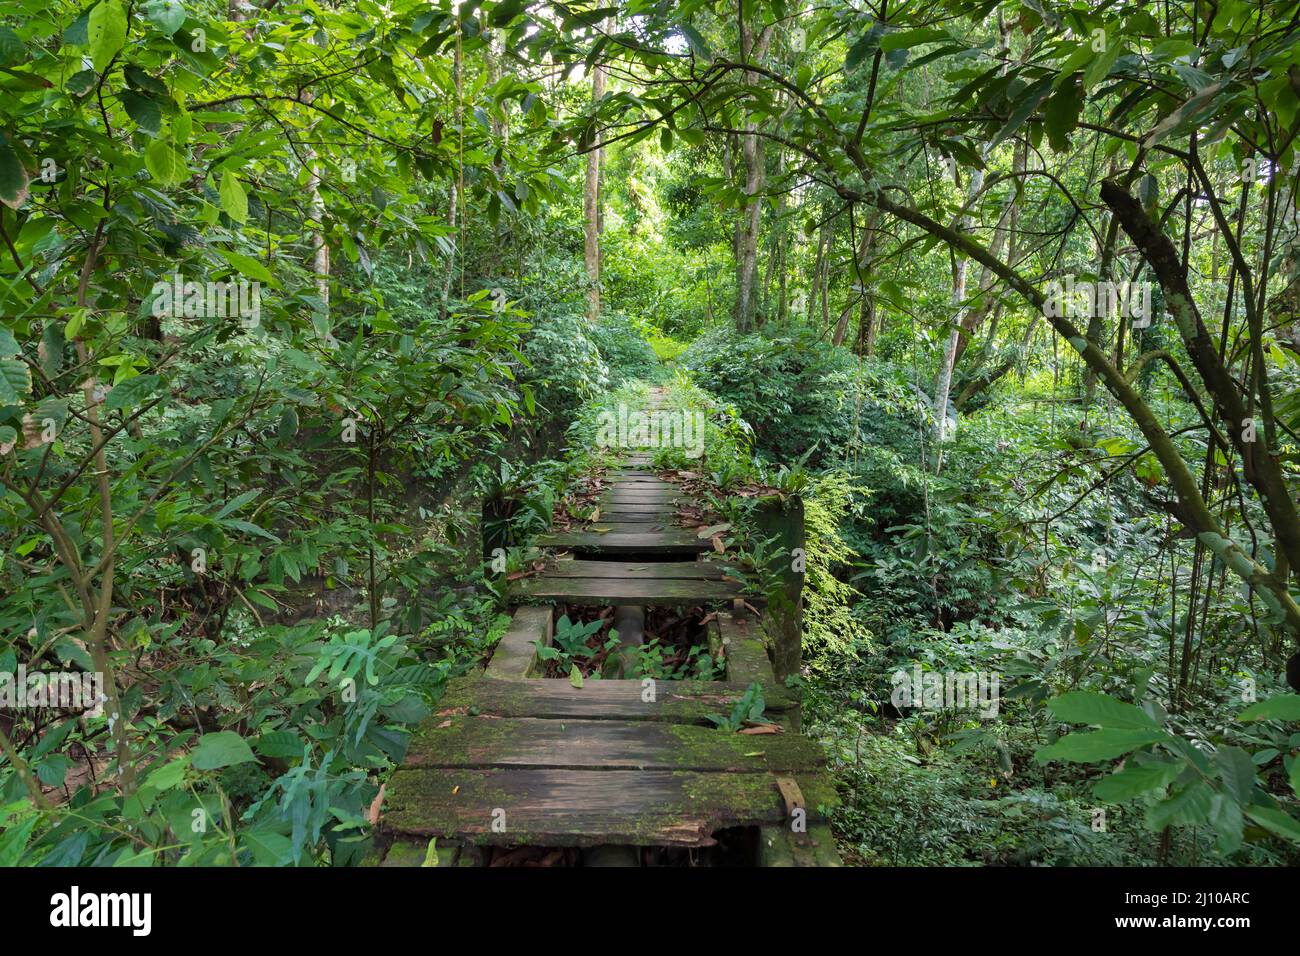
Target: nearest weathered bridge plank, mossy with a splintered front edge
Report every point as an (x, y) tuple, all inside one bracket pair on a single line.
[(567, 808)]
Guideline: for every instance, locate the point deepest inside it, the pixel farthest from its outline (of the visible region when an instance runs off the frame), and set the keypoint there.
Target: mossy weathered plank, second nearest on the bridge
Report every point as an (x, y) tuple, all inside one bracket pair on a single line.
[(491, 742)]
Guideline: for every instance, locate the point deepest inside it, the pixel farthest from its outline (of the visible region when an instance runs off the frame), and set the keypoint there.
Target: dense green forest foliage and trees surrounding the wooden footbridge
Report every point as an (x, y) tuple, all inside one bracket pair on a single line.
[(252, 505)]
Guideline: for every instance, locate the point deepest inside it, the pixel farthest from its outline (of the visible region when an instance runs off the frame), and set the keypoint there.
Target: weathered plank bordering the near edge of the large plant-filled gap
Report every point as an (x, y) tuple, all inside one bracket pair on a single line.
[(673, 702)]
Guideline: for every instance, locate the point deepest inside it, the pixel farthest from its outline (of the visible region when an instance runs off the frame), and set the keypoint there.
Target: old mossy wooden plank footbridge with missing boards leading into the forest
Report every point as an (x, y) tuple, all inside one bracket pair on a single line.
[(519, 768)]
